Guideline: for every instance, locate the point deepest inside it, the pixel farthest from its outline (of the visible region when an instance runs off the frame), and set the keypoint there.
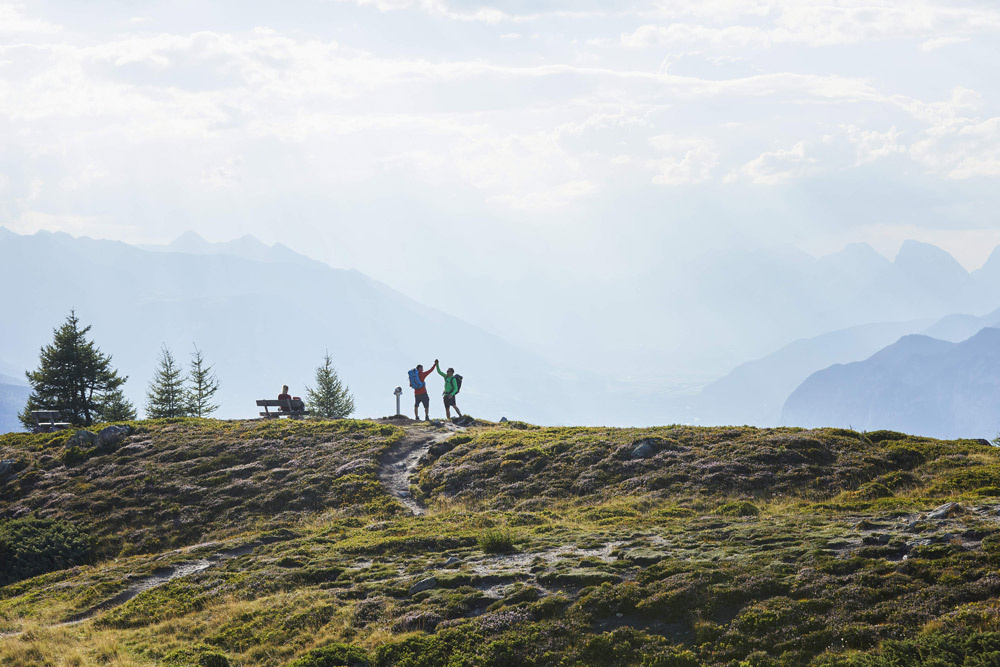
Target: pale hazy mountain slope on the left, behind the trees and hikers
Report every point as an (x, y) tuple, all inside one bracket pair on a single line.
[(264, 324)]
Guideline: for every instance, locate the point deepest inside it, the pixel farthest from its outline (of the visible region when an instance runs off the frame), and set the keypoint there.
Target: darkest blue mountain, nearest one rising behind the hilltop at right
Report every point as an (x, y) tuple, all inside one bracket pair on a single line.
[(918, 384)]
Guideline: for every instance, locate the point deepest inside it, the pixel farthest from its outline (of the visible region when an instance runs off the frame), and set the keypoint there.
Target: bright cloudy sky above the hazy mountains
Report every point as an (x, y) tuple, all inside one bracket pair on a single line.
[(507, 161)]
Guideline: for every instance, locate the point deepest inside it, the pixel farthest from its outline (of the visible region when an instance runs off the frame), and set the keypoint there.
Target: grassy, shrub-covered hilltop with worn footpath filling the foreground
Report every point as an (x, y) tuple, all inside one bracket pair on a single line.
[(210, 543)]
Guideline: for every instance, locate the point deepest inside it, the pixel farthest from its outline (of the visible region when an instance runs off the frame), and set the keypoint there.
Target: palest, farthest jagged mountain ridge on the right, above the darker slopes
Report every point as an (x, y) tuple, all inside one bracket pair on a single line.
[(749, 304)]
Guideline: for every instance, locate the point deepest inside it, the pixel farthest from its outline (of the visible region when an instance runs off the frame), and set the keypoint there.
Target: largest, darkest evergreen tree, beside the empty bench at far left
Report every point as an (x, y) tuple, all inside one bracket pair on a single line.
[(73, 376)]
